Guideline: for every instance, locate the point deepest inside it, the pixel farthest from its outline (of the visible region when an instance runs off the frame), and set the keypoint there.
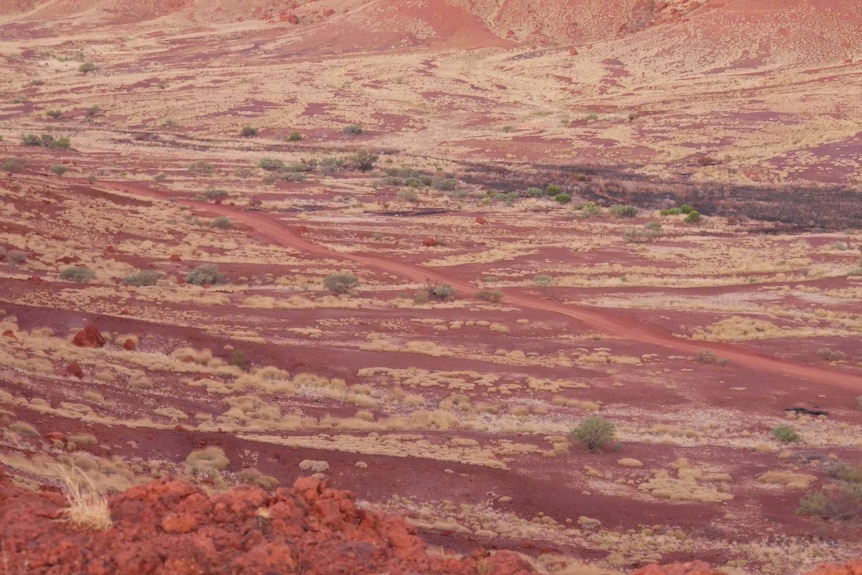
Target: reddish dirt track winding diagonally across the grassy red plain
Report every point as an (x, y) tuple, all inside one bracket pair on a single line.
[(615, 326)]
